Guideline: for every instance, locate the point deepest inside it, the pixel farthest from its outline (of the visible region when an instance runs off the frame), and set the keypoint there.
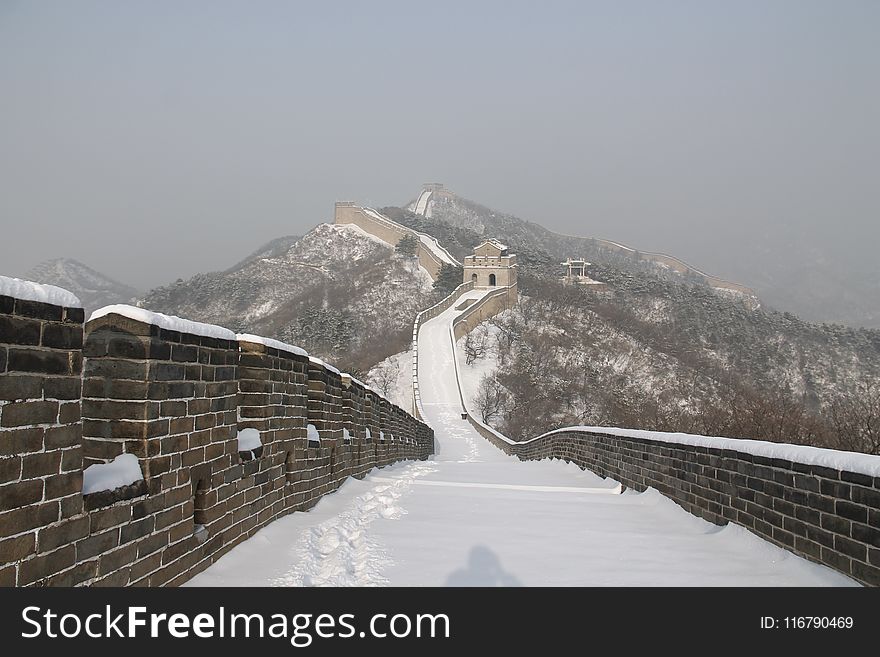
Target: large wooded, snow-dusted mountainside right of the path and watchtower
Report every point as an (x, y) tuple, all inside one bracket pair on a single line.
[(655, 348)]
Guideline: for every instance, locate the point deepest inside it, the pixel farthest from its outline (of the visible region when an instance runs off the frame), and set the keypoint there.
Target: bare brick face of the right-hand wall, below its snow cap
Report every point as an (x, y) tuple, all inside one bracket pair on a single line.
[(828, 516)]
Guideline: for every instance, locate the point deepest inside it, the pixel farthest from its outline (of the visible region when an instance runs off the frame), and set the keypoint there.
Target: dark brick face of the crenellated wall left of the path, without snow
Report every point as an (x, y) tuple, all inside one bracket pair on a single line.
[(70, 398)]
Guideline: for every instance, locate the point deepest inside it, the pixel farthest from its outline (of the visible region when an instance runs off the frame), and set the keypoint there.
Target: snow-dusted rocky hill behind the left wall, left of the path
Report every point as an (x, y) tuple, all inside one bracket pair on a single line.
[(338, 292)]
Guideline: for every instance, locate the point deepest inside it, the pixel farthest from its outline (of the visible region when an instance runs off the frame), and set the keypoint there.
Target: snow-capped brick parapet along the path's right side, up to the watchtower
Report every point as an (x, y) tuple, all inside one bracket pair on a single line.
[(823, 505)]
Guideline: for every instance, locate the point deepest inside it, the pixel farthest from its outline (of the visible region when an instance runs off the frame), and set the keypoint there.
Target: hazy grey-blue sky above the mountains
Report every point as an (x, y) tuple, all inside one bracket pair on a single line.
[(153, 140)]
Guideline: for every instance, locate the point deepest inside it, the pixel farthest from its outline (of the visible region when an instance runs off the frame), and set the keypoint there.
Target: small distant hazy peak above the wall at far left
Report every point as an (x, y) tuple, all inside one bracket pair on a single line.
[(94, 289)]
